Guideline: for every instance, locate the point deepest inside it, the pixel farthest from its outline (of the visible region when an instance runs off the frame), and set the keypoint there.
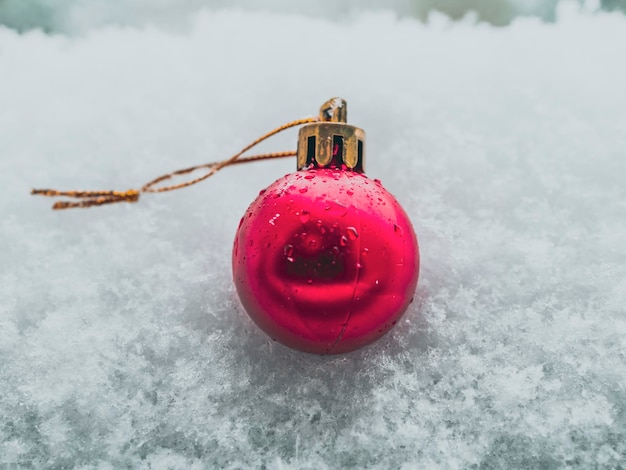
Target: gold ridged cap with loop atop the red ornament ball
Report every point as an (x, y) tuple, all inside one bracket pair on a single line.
[(331, 142)]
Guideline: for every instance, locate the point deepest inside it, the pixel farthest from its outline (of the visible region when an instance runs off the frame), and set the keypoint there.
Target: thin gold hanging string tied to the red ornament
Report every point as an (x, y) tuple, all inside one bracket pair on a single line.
[(99, 198)]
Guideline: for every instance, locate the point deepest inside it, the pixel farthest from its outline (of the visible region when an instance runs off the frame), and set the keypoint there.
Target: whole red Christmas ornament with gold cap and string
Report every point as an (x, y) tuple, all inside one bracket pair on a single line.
[(325, 259)]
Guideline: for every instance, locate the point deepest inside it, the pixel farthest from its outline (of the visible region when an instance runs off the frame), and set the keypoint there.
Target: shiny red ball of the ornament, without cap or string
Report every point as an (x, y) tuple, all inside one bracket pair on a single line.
[(325, 261)]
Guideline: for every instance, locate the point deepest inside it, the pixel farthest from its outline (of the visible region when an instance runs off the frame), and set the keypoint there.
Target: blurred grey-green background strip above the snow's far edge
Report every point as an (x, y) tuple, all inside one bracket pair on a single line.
[(77, 16)]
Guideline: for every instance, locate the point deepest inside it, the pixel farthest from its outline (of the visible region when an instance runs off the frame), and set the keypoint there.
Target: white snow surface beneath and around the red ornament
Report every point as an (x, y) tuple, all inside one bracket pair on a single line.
[(122, 342)]
